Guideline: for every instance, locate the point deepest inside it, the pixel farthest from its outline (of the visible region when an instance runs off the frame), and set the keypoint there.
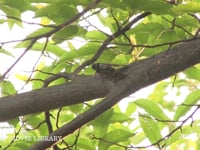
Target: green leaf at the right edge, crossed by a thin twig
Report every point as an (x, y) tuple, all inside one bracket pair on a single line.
[(191, 99)]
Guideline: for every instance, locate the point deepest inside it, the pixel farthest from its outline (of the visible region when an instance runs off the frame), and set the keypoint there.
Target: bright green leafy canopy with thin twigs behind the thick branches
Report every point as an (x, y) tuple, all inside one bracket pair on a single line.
[(70, 33)]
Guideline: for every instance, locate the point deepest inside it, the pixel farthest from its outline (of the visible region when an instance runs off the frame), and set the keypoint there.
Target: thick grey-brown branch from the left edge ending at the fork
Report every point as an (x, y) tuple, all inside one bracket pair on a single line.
[(86, 88)]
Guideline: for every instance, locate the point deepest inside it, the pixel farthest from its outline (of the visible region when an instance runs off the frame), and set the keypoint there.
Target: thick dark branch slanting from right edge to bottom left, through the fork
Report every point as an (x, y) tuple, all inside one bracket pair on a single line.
[(138, 75)]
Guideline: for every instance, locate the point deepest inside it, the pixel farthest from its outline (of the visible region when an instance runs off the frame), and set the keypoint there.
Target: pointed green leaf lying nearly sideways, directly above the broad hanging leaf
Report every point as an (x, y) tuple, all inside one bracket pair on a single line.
[(151, 108)]
